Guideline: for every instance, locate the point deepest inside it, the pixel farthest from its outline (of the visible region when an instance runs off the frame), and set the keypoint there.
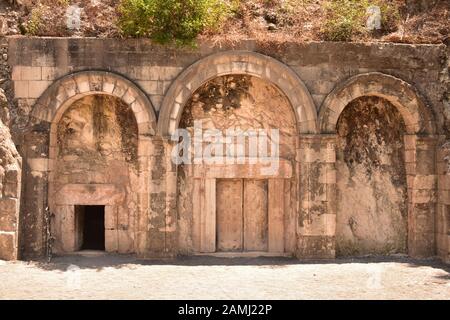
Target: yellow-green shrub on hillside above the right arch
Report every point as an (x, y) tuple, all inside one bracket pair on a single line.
[(346, 18)]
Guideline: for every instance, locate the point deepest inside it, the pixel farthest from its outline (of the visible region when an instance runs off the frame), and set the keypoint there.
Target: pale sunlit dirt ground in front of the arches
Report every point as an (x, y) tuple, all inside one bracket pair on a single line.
[(125, 277)]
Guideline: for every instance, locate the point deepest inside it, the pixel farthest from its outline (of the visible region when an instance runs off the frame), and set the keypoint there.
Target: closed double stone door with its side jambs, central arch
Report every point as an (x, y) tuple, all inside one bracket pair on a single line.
[(242, 215)]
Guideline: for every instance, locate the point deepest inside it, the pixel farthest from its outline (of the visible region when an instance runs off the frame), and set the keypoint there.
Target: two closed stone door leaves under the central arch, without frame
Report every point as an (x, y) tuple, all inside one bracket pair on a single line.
[(242, 215)]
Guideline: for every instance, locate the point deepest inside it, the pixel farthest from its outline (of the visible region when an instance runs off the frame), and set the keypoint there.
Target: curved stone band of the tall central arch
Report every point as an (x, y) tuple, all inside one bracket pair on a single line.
[(237, 63)]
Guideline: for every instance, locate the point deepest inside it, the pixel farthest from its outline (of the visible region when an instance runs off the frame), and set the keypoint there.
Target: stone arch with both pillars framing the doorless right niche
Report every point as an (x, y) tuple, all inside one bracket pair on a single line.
[(318, 231)]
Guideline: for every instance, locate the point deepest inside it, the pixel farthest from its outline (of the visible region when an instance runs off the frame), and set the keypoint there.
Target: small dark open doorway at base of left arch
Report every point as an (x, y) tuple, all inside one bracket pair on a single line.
[(90, 227)]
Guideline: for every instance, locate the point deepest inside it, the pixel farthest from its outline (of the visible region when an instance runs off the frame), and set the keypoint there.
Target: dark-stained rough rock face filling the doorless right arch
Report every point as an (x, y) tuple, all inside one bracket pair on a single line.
[(371, 179)]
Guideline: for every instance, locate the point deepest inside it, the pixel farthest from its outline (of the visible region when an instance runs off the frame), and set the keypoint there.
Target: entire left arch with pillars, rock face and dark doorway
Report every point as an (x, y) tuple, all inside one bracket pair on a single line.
[(98, 126)]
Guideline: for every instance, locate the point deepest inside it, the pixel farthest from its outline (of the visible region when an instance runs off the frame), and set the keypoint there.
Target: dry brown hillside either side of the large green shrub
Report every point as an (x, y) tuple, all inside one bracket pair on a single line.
[(407, 21)]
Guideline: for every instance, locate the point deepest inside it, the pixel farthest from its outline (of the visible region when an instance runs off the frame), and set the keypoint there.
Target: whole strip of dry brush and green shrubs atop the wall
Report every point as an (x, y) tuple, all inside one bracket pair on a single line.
[(183, 21)]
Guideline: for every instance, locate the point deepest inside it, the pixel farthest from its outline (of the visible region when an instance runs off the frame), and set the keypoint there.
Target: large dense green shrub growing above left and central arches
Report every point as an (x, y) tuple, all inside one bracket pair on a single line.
[(171, 20)]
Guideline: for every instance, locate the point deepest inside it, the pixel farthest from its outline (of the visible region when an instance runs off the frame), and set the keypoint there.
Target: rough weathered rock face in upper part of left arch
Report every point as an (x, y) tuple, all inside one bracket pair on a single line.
[(100, 128)]
